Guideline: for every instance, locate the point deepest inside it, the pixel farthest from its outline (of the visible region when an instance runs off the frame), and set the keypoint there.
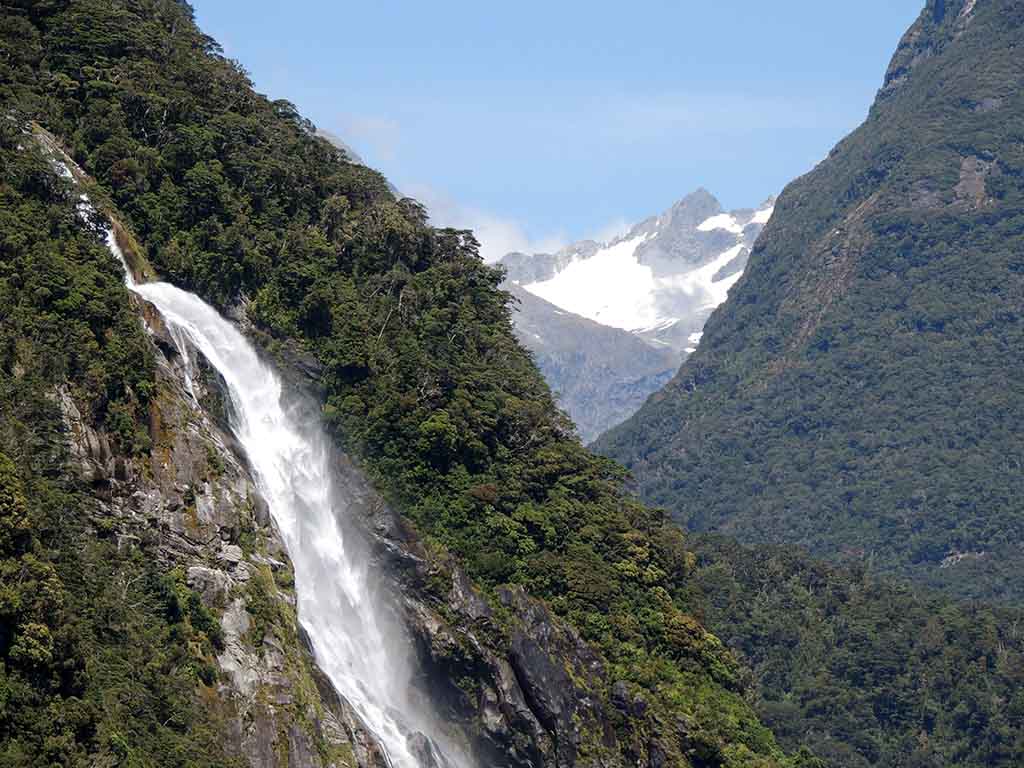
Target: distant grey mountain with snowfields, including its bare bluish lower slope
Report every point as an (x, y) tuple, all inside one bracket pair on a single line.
[(610, 323)]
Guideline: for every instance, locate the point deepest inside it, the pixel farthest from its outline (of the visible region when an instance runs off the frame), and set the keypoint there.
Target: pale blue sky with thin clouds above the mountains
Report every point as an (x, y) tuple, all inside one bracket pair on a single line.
[(540, 123)]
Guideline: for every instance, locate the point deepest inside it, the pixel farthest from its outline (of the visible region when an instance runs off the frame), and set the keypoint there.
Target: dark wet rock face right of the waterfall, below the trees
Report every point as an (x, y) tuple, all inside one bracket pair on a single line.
[(524, 689)]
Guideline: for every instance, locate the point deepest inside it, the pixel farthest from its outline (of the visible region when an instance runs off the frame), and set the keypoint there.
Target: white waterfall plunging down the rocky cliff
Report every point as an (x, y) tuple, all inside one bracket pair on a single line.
[(363, 653)]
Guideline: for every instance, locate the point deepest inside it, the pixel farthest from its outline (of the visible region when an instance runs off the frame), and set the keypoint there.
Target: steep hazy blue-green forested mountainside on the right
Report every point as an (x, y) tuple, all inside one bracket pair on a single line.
[(861, 393)]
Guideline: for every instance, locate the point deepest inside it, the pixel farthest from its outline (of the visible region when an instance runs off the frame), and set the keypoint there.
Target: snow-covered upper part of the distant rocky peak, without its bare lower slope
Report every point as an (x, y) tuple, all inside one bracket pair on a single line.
[(661, 281)]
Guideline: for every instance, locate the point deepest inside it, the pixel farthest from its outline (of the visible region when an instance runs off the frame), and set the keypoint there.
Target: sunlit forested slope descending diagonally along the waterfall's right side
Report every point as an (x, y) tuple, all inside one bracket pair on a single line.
[(235, 197)]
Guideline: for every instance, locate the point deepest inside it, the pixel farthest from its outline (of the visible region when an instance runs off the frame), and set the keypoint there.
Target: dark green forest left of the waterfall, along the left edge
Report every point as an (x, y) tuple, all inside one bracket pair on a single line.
[(102, 653)]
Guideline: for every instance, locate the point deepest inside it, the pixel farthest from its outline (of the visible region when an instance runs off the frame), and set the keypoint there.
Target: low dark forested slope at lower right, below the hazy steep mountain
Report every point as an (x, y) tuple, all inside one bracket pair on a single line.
[(867, 672)]
